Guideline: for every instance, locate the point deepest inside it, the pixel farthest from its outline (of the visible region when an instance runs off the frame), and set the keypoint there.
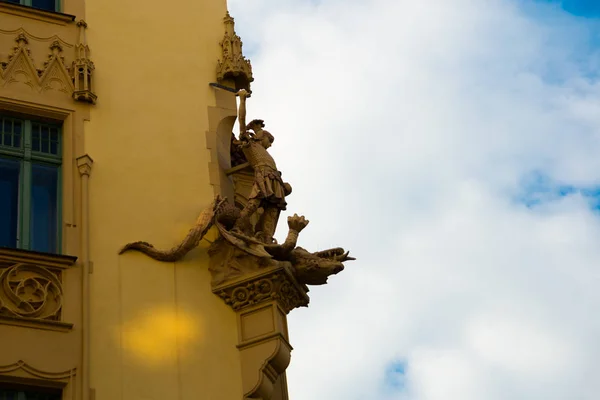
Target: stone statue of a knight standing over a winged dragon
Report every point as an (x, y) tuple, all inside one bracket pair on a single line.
[(242, 247)]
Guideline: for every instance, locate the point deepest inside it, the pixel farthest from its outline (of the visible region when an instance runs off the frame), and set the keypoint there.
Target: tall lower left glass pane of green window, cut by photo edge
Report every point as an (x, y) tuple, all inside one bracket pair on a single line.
[(9, 201)]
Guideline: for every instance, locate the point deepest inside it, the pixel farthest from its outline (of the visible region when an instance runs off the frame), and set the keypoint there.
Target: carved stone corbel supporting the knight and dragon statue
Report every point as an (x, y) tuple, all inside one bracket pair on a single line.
[(262, 300)]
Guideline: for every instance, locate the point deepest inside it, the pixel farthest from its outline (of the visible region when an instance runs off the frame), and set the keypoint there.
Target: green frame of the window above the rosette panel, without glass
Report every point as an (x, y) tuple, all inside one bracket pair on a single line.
[(27, 157)]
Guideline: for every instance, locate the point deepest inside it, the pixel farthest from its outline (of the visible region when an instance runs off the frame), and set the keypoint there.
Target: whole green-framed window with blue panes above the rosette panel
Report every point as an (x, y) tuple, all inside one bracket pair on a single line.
[(30, 171)]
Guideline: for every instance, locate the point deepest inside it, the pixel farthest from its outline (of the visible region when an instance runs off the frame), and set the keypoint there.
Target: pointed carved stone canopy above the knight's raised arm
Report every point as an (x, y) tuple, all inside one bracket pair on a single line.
[(233, 65)]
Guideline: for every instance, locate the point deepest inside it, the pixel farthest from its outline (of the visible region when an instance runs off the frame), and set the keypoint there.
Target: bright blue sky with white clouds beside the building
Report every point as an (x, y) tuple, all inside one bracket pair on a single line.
[(454, 148)]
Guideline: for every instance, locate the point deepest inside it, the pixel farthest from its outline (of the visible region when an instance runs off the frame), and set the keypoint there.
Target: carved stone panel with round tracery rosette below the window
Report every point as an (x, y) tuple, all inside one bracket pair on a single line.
[(30, 291)]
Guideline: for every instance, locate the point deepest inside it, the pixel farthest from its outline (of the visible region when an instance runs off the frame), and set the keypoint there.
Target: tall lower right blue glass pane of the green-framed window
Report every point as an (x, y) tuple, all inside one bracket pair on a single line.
[(44, 208)]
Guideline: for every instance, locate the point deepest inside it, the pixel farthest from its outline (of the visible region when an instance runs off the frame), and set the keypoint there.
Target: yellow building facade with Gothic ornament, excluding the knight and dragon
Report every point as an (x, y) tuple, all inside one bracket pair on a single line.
[(116, 125)]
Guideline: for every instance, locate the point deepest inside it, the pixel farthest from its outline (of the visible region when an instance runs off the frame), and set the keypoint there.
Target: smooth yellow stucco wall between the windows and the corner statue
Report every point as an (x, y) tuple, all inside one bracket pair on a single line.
[(157, 331)]
